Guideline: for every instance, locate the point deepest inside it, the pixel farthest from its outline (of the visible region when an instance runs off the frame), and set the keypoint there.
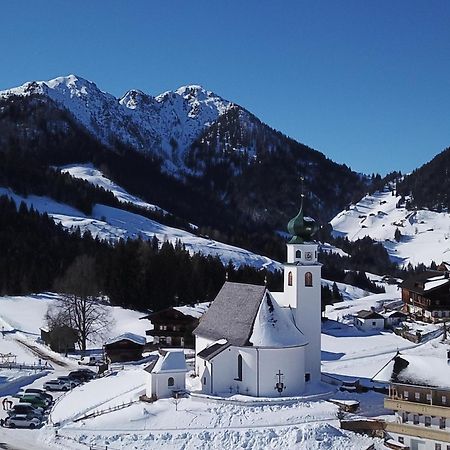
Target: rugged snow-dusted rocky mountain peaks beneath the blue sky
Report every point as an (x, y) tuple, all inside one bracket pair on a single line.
[(165, 125)]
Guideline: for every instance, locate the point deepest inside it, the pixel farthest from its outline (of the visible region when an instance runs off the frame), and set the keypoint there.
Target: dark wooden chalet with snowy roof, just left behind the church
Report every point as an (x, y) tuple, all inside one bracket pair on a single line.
[(172, 327)]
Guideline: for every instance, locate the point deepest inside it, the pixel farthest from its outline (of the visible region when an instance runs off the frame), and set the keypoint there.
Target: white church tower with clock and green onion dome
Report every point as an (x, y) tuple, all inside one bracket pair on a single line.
[(302, 287)]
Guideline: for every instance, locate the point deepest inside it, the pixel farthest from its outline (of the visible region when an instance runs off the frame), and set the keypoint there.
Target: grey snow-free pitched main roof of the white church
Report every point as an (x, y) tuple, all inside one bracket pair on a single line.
[(232, 314)]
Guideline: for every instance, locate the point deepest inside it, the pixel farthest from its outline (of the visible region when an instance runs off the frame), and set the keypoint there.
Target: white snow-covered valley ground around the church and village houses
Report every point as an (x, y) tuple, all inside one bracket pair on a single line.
[(200, 422)]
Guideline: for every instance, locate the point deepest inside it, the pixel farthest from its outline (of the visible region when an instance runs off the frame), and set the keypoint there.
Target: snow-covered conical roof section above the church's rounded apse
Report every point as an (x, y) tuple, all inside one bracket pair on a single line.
[(274, 328)]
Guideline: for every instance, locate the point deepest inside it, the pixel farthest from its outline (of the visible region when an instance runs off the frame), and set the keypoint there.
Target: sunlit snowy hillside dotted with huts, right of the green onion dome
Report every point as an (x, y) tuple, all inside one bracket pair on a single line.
[(425, 235)]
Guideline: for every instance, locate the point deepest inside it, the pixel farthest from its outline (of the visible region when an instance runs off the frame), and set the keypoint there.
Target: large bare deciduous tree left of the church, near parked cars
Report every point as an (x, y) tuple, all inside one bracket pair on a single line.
[(80, 307)]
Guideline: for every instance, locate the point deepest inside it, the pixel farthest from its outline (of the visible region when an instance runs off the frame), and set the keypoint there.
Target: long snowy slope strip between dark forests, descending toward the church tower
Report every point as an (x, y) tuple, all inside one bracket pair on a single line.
[(113, 224)]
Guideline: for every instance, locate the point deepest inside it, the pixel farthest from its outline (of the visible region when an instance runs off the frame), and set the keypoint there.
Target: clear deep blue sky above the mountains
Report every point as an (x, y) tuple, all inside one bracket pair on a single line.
[(365, 82)]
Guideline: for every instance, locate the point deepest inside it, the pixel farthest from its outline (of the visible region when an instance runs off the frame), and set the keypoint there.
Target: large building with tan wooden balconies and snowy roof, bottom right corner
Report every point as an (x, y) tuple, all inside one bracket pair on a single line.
[(419, 395)]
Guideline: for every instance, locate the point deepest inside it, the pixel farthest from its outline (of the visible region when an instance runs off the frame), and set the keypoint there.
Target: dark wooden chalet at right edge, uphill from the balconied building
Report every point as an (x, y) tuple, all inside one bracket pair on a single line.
[(427, 296)]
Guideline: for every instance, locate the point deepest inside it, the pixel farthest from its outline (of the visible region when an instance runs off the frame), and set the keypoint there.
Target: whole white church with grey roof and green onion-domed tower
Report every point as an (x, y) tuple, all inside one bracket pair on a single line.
[(261, 343)]
